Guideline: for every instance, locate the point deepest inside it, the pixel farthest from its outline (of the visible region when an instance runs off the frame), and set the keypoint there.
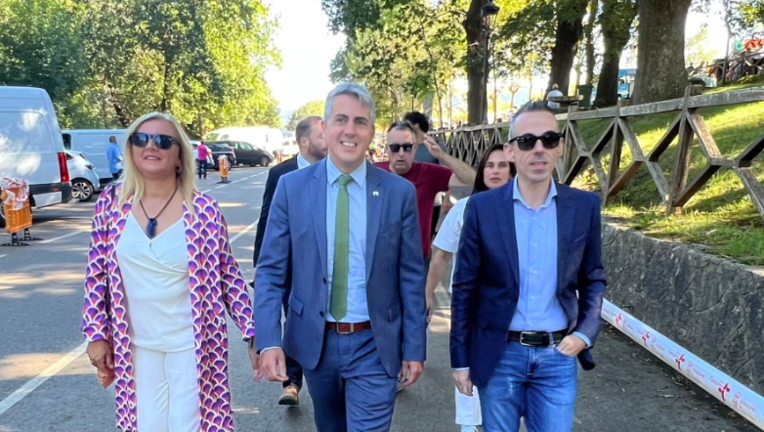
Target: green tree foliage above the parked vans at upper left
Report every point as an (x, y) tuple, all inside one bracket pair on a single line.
[(106, 62)]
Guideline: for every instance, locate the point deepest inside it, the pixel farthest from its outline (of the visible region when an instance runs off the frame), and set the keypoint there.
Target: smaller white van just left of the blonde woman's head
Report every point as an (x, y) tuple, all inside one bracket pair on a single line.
[(93, 143)]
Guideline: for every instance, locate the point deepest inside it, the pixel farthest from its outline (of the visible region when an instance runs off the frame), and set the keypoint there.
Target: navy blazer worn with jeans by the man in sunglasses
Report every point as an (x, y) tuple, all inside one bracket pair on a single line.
[(486, 284)]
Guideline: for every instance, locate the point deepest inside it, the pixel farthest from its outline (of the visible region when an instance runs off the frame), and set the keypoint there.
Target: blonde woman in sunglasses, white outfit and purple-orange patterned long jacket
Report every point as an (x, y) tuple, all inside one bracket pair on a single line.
[(159, 279)]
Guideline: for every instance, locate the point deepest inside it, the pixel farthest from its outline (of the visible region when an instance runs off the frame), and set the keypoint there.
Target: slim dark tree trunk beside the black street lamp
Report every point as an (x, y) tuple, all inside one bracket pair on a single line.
[(475, 64)]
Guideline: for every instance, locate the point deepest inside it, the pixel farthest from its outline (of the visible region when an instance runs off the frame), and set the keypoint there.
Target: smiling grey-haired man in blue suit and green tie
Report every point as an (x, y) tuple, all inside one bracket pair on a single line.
[(345, 235)]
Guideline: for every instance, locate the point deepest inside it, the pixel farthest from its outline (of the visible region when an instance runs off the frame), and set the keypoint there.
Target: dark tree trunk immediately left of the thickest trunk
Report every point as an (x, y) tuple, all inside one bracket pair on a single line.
[(617, 17)]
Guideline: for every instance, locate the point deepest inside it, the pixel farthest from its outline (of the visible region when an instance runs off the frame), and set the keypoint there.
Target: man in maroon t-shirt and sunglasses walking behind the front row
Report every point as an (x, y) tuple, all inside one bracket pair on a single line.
[(428, 179)]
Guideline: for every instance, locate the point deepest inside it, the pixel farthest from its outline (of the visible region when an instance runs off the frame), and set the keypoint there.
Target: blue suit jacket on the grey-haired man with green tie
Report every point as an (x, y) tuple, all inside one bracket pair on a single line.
[(395, 271)]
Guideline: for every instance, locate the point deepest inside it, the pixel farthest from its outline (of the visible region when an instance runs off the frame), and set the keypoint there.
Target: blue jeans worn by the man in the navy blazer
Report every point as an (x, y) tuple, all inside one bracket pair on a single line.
[(538, 383)]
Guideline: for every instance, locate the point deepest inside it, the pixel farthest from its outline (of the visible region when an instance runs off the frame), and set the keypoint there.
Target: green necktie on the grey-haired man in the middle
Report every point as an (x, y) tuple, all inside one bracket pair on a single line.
[(339, 306)]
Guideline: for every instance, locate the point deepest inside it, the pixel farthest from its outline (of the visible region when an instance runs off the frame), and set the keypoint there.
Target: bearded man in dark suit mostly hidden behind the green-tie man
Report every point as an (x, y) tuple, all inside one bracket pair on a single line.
[(310, 138)]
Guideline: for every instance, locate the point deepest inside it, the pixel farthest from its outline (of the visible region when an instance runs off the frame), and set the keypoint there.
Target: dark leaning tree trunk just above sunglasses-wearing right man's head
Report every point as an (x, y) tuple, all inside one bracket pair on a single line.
[(569, 31)]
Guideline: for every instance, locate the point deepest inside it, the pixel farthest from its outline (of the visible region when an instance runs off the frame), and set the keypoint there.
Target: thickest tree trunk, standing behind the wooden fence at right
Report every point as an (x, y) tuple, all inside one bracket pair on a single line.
[(661, 72)]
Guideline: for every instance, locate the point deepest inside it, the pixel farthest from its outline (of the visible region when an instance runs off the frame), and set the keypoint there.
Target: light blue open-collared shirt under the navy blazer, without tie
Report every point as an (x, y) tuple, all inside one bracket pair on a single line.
[(538, 308)]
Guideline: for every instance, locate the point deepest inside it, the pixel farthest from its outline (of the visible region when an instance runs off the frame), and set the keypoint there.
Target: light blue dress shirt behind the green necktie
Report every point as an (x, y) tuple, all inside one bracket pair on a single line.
[(358, 310)]
